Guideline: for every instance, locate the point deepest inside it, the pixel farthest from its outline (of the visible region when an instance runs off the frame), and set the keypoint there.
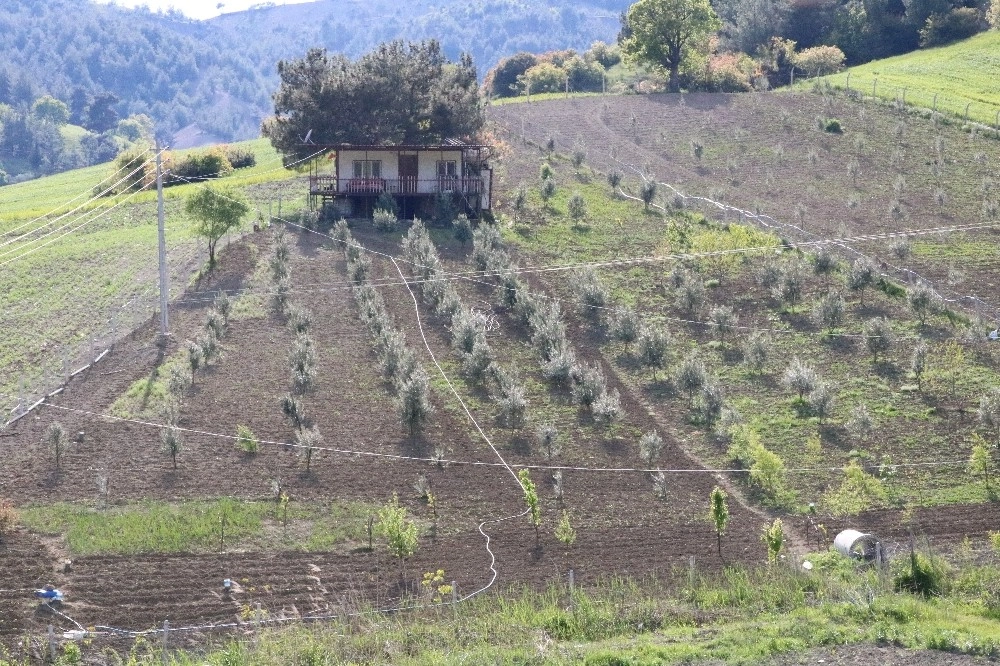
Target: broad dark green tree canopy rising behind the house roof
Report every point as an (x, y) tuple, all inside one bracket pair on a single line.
[(398, 93)]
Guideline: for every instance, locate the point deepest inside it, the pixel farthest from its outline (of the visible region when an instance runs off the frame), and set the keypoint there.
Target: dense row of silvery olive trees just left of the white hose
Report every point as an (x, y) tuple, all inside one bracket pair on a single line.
[(400, 367)]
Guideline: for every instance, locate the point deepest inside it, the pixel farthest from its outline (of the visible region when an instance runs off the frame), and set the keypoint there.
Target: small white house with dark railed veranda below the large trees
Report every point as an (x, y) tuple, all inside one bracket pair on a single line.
[(351, 178)]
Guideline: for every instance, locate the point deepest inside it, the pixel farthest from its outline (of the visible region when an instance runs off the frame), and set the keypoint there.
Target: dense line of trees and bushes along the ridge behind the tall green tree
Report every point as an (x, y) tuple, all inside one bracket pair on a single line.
[(751, 44)]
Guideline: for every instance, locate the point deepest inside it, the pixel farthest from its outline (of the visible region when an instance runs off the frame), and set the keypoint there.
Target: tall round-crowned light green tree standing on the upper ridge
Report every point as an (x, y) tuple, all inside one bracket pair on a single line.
[(660, 32)]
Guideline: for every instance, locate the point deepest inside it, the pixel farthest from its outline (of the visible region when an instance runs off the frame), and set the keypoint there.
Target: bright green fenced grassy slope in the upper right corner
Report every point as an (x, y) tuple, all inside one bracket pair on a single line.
[(961, 74)]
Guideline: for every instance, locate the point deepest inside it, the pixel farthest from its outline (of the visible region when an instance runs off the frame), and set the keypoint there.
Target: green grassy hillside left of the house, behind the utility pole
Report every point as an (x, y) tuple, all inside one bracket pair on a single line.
[(59, 292)]
